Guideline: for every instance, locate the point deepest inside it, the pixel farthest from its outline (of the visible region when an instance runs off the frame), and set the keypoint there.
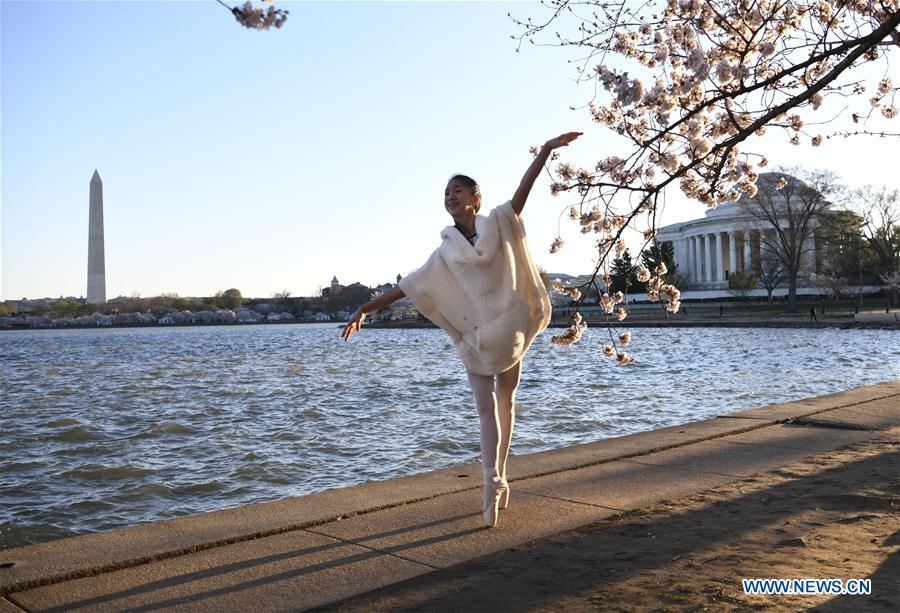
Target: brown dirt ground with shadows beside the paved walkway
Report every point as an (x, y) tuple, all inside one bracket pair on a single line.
[(834, 515)]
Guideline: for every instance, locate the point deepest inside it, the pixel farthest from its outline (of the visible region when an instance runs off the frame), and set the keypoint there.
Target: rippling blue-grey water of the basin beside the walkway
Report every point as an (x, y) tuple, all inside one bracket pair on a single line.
[(107, 428)]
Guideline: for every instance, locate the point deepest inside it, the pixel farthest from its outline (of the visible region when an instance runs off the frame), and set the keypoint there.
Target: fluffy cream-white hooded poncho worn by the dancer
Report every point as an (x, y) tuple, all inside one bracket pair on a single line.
[(488, 297)]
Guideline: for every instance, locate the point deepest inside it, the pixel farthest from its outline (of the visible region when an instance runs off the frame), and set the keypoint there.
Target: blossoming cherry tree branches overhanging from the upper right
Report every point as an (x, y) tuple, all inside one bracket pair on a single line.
[(707, 76)]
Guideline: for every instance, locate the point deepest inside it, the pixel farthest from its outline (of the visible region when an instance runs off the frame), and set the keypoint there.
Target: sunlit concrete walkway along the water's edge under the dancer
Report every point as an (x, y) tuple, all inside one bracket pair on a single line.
[(322, 548)]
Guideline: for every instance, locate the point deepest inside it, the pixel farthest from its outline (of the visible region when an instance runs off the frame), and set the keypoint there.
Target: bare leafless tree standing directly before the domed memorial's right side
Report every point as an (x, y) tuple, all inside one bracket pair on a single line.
[(789, 207)]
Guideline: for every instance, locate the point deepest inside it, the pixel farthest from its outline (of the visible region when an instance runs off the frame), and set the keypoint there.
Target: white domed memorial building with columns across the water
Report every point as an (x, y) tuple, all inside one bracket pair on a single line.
[(727, 240)]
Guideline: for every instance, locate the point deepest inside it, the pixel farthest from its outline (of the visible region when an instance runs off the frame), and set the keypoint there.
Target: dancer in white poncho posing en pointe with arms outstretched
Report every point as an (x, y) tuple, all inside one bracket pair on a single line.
[(483, 289)]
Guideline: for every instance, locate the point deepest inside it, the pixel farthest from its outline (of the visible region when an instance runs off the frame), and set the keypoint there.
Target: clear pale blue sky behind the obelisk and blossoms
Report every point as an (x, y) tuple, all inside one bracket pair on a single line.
[(274, 160)]
